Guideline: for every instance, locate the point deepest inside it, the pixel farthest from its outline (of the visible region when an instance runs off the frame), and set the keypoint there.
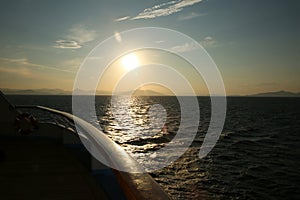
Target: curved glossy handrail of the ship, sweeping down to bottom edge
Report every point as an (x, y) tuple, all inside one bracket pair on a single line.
[(136, 185)]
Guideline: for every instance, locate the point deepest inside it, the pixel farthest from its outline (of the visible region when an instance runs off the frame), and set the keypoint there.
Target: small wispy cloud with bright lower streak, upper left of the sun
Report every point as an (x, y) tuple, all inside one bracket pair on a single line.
[(77, 37)]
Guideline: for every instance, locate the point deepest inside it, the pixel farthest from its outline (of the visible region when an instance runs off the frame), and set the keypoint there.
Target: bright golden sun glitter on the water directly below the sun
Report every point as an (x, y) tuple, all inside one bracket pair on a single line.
[(141, 122)]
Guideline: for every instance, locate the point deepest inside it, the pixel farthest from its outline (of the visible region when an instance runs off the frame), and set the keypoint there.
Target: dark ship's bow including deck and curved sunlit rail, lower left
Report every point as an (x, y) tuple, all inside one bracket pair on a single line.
[(49, 160)]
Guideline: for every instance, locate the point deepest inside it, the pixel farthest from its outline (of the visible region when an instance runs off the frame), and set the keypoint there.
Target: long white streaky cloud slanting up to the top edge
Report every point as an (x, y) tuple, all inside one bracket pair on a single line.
[(165, 9)]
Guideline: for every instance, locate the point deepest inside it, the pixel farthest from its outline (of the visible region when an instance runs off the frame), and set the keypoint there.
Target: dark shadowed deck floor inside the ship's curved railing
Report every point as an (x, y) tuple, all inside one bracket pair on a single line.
[(43, 169)]
